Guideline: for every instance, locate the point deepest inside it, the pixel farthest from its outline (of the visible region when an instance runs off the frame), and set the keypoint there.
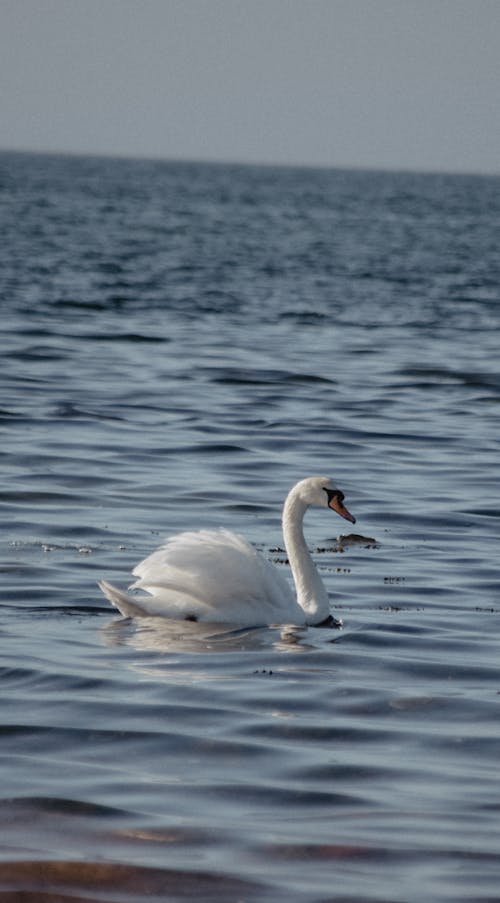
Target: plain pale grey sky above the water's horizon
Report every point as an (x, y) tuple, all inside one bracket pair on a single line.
[(398, 84)]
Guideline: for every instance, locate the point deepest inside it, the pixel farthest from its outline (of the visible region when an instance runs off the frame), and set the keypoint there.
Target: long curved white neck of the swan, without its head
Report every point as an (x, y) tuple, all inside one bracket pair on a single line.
[(311, 593)]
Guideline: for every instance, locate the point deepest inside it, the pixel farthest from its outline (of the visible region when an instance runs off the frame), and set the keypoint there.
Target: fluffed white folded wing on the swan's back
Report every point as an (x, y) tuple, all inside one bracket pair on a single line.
[(213, 575)]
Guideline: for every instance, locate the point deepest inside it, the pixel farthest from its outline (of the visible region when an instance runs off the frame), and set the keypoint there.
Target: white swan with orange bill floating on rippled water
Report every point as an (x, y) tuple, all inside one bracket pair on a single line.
[(216, 575)]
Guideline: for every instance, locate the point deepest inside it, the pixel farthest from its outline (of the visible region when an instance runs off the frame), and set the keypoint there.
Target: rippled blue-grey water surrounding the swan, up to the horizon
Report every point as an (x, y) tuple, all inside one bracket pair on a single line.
[(180, 343)]
